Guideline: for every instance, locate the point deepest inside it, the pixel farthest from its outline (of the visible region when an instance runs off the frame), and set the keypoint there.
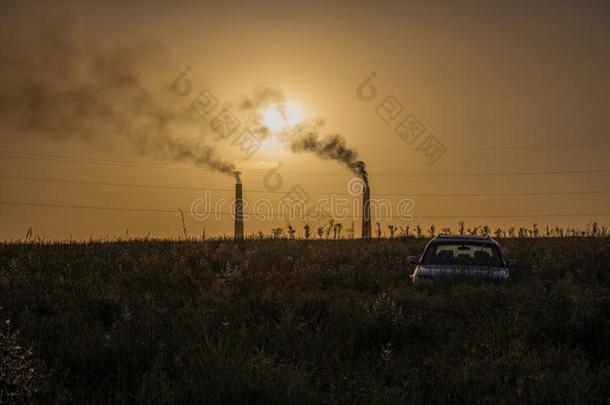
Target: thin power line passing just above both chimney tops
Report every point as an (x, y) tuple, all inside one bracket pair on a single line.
[(20, 155)]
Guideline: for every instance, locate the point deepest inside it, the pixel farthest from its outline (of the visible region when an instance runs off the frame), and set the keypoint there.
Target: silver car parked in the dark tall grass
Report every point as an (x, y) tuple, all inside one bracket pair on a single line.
[(460, 256)]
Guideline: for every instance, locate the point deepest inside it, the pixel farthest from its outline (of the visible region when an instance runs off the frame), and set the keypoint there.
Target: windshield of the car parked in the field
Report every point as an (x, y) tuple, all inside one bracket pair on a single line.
[(463, 254)]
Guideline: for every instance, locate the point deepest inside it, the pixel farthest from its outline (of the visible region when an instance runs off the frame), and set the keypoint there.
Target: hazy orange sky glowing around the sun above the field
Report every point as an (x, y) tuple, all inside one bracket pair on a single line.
[(517, 93)]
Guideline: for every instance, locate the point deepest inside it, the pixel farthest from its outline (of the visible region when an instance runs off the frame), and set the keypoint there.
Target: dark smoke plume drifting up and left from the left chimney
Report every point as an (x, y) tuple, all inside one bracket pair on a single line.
[(55, 85)]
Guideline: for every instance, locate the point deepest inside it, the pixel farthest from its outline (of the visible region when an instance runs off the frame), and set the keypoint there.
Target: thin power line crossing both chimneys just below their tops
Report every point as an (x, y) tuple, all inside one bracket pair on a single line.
[(168, 187)]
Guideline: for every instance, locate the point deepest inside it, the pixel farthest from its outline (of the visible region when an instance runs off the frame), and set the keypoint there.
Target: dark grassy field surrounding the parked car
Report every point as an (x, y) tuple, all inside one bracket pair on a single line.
[(295, 321)]
